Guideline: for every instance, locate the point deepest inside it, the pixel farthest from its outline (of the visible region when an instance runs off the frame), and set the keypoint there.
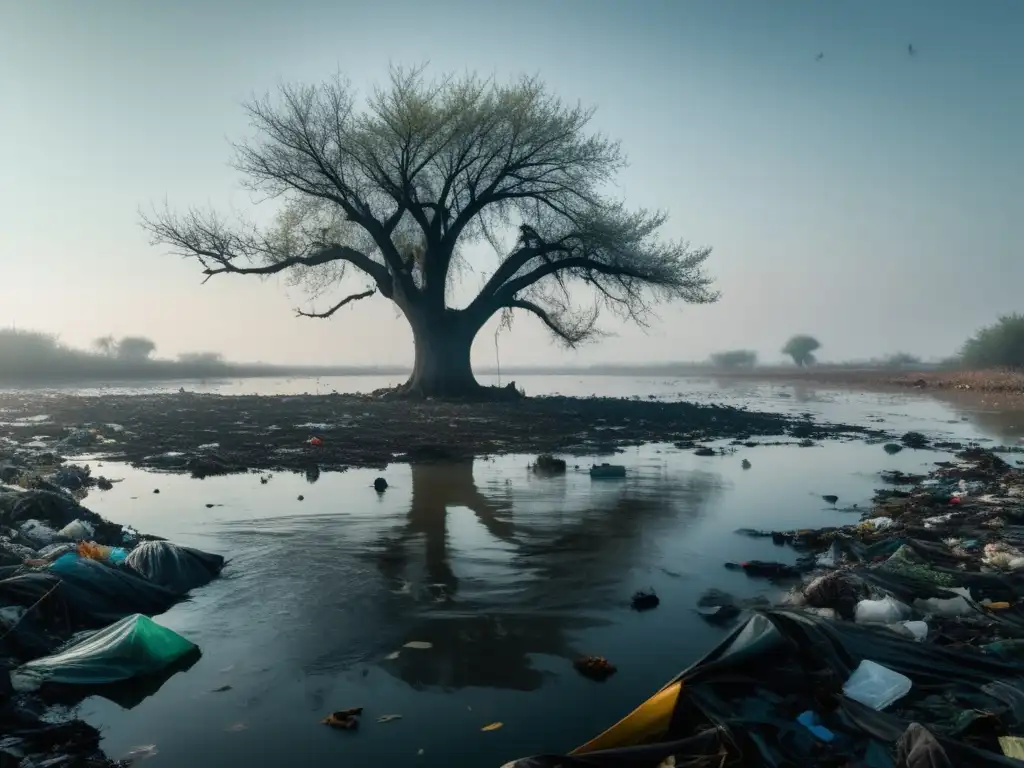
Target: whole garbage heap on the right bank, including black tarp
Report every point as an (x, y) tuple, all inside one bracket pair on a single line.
[(901, 645)]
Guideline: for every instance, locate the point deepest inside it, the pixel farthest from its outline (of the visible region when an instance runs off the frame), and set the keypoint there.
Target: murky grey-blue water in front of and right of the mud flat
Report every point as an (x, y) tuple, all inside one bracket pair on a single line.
[(507, 575)]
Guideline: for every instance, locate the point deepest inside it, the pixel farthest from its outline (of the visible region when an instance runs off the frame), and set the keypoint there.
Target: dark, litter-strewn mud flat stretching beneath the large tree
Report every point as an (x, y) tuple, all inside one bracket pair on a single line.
[(218, 435)]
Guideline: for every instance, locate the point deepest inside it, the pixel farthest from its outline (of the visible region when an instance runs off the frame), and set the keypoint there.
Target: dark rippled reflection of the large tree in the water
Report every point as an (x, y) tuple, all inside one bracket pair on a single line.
[(563, 561)]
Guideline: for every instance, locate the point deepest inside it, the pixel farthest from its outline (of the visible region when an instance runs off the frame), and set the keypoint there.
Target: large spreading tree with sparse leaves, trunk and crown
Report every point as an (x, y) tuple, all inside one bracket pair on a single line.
[(393, 193)]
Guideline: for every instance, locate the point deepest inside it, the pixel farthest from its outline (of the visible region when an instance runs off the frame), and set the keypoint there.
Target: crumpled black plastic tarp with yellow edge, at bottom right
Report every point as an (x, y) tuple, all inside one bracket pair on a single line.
[(739, 706)]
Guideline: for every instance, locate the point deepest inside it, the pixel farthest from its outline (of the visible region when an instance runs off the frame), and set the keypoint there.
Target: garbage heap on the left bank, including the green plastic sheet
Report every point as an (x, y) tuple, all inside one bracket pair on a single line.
[(76, 596)]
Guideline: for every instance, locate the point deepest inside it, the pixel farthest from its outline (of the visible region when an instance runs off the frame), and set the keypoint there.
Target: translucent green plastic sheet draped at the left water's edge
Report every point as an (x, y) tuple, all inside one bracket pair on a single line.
[(136, 647)]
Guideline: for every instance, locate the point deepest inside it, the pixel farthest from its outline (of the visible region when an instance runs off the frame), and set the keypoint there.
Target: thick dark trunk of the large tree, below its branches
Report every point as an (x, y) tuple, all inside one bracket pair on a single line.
[(443, 357)]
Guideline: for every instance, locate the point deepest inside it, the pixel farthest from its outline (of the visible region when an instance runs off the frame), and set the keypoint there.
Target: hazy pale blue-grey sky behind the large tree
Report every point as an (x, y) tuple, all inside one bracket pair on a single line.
[(874, 199)]
